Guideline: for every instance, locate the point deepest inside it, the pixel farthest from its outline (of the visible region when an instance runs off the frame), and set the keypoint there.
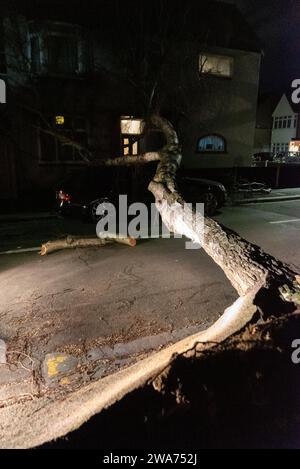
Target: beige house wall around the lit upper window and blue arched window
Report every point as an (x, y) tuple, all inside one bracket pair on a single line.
[(221, 106)]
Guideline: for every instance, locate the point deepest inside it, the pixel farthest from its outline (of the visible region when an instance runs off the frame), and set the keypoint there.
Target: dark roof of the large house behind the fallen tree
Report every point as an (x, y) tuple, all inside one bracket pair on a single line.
[(213, 23)]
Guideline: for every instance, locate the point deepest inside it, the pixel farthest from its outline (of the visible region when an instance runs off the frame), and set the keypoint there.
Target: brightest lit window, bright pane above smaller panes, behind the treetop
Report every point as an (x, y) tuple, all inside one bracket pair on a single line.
[(131, 130)]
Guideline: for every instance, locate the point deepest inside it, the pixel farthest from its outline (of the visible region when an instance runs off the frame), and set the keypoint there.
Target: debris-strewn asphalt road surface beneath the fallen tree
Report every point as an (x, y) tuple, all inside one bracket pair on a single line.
[(117, 303)]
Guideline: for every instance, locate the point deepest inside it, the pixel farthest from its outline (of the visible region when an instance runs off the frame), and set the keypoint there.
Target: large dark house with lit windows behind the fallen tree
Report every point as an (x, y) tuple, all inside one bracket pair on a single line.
[(68, 73)]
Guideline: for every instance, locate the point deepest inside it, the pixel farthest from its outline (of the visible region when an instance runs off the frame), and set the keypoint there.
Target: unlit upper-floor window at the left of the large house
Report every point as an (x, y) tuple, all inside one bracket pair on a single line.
[(57, 49)]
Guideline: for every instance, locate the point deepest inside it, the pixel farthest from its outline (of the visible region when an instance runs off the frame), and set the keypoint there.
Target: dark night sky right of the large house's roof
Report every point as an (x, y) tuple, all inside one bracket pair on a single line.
[(277, 23)]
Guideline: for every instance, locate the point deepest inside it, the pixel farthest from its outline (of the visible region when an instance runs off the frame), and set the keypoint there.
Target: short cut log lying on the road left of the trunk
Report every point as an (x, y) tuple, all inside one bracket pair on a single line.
[(71, 242)]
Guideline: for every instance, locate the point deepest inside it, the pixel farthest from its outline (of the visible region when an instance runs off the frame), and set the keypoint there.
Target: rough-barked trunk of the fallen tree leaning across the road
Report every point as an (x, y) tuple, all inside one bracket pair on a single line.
[(245, 264)]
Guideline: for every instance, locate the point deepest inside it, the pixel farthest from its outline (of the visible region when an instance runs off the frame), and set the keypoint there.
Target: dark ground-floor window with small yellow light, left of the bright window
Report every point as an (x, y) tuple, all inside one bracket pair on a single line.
[(52, 149)]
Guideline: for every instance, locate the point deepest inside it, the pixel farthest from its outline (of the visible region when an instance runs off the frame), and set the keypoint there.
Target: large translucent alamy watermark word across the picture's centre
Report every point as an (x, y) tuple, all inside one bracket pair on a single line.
[(139, 220)]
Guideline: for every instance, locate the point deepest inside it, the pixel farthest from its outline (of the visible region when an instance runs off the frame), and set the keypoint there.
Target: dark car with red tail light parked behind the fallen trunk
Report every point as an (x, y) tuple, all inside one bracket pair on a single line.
[(81, 194)]
